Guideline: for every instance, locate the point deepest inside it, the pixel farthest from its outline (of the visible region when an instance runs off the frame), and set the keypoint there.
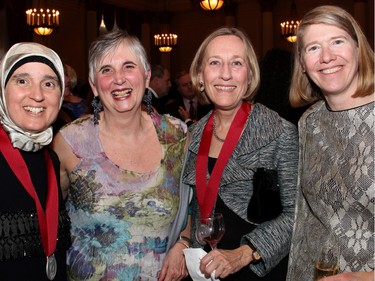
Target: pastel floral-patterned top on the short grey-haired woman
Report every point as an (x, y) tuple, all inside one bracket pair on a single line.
[(121, 219)]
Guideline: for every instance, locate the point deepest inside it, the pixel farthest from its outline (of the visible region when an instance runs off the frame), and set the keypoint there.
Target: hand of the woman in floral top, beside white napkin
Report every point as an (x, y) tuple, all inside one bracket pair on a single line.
[(174, 267)]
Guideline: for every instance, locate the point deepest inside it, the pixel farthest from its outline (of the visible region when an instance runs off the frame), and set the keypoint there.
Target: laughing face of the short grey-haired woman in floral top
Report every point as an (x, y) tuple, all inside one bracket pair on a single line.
[(120, 80)]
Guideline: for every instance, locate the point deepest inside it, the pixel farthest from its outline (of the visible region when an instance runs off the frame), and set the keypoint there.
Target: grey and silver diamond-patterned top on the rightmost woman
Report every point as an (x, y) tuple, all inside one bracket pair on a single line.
[(336, 189)]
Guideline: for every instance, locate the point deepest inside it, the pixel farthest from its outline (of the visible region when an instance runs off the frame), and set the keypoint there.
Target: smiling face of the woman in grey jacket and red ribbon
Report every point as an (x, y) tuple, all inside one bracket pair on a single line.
[(225, 72)]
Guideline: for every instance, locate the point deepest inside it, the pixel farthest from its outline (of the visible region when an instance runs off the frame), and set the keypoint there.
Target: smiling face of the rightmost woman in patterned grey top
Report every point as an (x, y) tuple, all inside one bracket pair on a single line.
[(330, 59)]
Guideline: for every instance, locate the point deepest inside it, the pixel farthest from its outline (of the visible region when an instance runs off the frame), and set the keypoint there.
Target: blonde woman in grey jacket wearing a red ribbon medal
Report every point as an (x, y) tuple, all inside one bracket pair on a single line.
[(236, 142)]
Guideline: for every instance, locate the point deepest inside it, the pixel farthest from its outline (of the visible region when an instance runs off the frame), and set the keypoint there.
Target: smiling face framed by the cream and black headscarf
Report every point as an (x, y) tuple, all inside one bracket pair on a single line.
[(33, 97)]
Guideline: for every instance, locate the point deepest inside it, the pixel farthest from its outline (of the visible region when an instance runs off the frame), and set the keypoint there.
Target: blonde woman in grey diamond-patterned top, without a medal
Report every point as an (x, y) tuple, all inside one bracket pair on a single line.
[(334, 69)]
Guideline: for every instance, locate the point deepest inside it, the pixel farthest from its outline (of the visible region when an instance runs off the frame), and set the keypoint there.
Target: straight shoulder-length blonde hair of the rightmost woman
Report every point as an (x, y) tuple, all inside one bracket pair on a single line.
[(303, 90)]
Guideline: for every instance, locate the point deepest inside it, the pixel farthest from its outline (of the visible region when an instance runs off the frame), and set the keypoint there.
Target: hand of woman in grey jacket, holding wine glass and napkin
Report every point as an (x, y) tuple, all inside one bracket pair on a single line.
[(225, 262)]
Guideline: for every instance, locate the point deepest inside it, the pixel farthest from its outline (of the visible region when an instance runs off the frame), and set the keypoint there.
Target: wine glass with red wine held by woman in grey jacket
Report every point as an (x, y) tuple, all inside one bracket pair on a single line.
[(211, 230)]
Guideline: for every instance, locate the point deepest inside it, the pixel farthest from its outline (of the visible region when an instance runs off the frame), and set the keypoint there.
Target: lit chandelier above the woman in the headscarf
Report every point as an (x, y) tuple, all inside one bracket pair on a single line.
[(42, 20)]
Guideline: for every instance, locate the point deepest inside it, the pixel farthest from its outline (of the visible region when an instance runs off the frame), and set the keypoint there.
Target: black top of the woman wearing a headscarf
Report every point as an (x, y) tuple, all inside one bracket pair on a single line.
[(21, 252)]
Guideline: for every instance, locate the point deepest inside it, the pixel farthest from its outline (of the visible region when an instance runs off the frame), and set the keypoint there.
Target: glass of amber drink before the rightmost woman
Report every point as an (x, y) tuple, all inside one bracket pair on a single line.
[(328, 259)]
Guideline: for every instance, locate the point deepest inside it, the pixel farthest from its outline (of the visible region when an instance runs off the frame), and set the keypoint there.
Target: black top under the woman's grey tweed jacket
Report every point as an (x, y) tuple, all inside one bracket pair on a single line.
[(235, 228)]
